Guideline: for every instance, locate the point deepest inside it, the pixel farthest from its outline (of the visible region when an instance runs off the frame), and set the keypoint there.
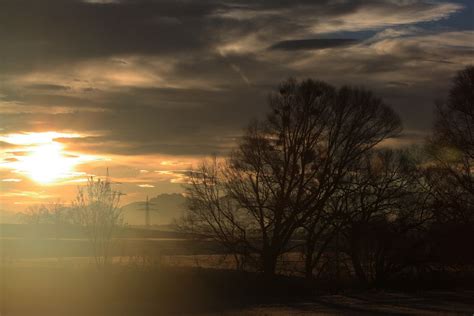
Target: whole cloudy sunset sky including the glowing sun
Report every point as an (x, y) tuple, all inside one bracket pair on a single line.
[(147, 88)]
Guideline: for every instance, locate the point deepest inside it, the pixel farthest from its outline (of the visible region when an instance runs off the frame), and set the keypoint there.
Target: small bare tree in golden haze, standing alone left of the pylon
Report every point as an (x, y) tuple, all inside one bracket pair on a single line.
[(97, 210)]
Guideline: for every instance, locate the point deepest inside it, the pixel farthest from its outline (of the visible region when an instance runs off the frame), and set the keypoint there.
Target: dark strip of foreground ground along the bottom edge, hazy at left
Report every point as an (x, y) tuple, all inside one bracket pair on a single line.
[(164, 291)]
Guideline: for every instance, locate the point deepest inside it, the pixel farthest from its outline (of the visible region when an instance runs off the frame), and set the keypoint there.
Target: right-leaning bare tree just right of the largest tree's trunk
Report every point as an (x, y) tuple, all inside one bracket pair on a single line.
[(357, 121)]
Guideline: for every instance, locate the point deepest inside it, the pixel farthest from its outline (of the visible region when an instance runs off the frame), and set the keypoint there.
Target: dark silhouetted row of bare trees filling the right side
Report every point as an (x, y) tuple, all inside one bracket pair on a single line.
[(319, 179)]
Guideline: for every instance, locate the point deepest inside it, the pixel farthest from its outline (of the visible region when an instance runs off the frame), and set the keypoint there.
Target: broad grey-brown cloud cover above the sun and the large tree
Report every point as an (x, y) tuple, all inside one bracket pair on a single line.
[(184, 77)]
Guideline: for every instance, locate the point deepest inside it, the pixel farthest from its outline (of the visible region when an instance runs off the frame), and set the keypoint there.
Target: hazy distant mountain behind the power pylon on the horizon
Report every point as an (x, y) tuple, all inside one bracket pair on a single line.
[(163, 209)]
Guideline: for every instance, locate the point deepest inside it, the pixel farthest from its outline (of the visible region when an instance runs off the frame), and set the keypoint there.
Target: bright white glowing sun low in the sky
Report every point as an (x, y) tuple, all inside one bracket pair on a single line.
[(46, 163)]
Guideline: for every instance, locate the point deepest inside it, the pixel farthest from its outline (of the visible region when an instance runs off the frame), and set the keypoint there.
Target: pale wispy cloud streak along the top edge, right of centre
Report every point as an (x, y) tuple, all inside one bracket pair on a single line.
[(333, 16)]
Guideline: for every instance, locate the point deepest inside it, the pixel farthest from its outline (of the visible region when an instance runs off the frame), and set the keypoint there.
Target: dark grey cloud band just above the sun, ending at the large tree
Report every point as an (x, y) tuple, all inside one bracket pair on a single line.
[(146, 121)]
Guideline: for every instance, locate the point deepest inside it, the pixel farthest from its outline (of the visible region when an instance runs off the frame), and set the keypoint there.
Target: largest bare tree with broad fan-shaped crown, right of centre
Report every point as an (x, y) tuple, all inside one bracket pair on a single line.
[(286, 167)]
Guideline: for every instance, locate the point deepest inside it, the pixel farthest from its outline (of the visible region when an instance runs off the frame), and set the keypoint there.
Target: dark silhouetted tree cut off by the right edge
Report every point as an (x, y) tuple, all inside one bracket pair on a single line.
[(450, 175)]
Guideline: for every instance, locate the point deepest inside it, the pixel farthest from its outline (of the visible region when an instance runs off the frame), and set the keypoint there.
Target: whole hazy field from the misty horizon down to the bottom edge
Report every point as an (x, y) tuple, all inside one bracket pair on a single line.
[(163, 273)]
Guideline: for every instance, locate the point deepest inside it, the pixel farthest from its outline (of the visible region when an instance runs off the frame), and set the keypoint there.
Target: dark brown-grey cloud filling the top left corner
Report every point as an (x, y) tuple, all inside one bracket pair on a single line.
[(41, 33)]
